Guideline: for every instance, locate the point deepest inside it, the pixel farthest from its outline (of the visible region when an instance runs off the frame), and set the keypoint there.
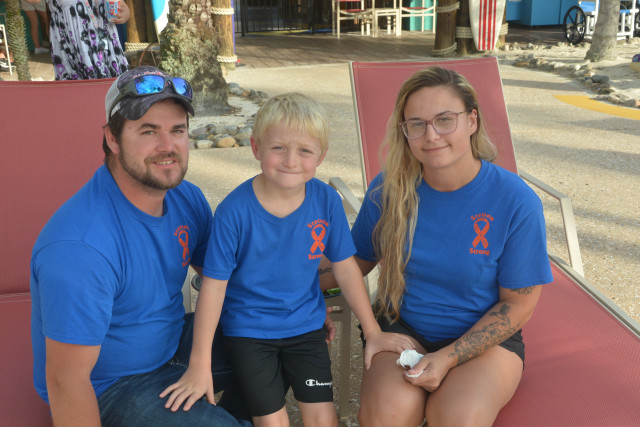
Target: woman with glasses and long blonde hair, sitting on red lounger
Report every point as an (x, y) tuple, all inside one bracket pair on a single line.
[(461, 246)]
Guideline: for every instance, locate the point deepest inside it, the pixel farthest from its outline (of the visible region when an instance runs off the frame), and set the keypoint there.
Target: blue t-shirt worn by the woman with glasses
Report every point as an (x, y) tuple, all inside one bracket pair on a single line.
[(467, 243)]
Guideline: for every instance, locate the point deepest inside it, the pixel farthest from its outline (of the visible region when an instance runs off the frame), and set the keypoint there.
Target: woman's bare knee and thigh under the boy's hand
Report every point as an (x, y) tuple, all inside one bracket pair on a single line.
[(386, 399)]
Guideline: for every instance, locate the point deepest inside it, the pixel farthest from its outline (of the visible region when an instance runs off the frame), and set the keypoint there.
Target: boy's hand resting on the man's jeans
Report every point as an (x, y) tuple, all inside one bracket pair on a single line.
[(191, 387)]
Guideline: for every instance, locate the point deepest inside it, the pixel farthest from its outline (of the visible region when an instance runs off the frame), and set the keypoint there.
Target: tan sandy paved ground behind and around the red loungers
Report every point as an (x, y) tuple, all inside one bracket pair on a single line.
[(592, 157)]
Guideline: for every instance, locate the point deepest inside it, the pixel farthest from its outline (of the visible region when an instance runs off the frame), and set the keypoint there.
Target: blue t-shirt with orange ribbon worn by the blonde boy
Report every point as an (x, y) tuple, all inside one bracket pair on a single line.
[(271, 263)]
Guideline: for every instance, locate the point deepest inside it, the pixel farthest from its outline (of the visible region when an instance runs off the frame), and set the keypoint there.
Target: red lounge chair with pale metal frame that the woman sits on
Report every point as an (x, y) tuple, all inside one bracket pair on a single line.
[(583, 352)]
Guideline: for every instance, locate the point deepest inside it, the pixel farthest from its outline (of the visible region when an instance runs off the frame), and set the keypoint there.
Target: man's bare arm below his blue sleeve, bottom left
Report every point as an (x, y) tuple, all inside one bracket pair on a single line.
[(72, 398)]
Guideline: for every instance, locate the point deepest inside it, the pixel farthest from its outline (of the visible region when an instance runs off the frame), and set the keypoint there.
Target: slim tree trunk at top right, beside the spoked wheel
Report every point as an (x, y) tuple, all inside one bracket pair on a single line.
[(604, 41)]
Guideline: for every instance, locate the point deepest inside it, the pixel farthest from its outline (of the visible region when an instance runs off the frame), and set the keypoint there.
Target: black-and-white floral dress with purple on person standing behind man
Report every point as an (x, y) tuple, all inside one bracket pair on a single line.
[(84, 45)]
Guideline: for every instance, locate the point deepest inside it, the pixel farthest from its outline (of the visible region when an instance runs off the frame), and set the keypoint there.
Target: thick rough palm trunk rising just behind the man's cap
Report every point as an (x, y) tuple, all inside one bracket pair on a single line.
[(189, 49)]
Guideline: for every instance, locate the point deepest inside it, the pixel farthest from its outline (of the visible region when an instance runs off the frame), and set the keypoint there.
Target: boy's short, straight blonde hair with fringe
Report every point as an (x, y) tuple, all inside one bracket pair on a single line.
[(295, 111)]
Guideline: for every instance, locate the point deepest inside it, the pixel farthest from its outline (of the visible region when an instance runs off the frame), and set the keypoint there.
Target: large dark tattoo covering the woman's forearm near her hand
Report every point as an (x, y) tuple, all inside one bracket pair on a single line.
[(479, 340)]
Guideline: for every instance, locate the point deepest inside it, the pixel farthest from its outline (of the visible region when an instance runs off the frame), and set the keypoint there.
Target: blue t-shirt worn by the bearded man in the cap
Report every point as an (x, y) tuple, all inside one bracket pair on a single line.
[(105, 273)]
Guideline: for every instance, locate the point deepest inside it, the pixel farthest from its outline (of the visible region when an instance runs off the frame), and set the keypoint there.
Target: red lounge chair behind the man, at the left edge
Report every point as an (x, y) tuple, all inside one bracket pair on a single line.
[(50, 134)]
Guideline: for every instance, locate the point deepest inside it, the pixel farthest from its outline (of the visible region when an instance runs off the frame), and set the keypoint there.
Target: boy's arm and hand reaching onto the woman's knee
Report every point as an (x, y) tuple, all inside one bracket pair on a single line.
[(349, 277)]
